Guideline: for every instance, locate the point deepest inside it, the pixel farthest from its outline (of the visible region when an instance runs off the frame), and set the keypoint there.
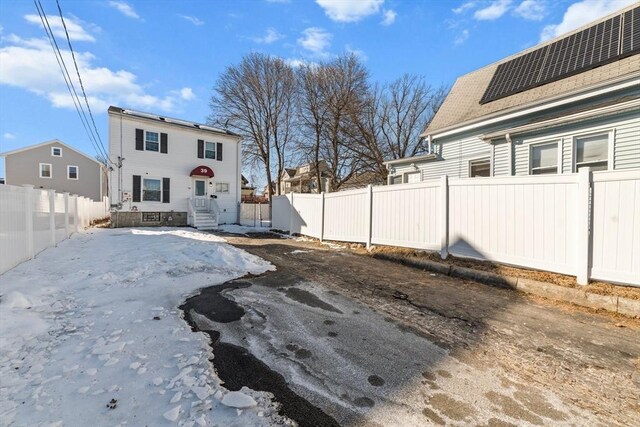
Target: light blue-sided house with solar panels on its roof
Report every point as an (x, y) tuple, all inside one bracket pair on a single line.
[(568, 103)]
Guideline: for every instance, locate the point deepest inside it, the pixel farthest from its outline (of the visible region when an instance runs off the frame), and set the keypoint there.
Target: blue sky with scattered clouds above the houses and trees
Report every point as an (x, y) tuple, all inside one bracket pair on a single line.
[(165, 56)]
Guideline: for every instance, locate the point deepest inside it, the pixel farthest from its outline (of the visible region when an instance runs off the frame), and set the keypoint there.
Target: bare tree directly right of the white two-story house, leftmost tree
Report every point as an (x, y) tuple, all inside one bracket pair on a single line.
[(256, 99)]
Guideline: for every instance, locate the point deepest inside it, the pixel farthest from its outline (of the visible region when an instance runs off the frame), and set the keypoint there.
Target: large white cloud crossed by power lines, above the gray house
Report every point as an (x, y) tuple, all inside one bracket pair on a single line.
[(31, 65)]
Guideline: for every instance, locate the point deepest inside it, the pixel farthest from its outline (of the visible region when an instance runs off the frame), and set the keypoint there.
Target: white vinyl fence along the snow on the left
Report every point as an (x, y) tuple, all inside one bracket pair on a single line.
[(32, 220)]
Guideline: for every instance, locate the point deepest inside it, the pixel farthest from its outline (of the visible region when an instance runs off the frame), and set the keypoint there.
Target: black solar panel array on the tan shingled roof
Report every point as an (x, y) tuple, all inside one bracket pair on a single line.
[(597, 45)]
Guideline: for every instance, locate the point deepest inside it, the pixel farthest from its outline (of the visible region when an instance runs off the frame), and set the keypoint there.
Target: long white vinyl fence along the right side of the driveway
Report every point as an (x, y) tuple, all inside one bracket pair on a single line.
[(585, 224)]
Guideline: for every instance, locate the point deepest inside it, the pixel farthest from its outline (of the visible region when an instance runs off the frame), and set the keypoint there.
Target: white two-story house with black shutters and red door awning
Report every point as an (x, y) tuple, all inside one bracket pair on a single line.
[(172, 172)]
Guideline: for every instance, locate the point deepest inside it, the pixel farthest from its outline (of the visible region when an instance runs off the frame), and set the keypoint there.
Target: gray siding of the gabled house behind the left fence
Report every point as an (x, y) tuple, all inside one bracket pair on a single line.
[(24, 168)]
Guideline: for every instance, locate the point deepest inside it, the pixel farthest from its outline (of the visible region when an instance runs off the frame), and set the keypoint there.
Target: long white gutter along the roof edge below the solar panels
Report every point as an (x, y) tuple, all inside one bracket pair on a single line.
[(624, 82)]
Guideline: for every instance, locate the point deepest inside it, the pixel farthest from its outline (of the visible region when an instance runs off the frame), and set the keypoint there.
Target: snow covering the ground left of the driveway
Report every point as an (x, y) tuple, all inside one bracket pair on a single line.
[(90, 332)]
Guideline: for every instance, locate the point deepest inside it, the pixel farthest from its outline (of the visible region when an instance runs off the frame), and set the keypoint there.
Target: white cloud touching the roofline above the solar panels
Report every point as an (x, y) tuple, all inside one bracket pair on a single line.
[(581, 13)]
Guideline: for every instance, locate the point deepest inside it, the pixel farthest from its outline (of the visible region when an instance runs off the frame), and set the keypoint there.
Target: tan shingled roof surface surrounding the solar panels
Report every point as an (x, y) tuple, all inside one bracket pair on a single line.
[(462, 105)]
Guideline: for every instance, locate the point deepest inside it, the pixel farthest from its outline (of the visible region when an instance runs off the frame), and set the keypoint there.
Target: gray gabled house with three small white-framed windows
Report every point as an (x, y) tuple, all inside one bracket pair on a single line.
[(57, 166)]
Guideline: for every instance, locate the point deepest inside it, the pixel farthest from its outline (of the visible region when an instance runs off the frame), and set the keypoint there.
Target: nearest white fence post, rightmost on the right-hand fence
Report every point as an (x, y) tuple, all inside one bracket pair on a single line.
[(583, 241)]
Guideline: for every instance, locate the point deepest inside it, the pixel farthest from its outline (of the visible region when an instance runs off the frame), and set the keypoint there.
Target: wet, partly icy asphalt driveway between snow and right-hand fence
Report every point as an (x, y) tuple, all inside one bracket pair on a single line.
[(345, 339)]
